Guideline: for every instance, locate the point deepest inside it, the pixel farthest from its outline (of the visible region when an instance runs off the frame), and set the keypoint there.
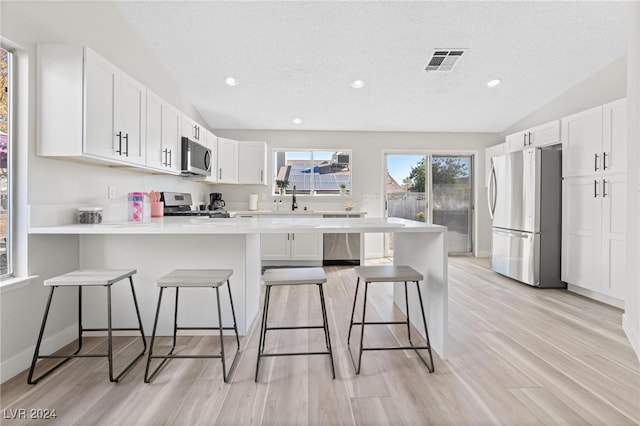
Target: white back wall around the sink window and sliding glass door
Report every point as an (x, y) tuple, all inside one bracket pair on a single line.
[(368, 168)]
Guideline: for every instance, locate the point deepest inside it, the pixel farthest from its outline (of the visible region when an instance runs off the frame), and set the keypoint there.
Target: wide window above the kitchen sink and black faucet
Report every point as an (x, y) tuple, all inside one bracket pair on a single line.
[(312, 172)]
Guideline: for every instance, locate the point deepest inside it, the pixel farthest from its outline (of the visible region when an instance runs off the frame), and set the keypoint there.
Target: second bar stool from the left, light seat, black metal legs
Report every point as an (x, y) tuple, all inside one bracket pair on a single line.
[(194, 278)]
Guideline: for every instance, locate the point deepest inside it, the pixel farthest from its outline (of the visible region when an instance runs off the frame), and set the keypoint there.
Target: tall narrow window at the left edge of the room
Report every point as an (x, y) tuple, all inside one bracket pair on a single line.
[(5, 165)]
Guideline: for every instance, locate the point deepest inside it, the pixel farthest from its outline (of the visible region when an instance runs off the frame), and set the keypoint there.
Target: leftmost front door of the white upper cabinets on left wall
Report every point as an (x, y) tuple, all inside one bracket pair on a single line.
[(101, 96)]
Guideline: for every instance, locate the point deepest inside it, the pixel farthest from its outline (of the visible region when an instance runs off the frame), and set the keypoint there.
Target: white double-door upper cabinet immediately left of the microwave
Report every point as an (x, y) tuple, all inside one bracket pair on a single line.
[(163, 134)]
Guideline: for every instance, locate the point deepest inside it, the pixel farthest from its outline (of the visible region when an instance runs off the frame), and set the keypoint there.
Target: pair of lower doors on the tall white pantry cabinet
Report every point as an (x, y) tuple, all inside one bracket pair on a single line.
[(594, 237)]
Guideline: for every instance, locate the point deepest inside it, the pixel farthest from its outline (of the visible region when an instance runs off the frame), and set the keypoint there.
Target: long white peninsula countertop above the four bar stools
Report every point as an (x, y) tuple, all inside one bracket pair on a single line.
[(239, 225)]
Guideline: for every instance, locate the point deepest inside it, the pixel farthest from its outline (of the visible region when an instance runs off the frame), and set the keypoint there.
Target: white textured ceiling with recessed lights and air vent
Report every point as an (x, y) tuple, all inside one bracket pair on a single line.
[(297, 59)]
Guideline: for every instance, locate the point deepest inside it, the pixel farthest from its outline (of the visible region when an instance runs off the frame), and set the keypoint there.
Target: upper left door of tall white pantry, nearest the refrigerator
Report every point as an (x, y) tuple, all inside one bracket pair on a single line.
[(582, 143)]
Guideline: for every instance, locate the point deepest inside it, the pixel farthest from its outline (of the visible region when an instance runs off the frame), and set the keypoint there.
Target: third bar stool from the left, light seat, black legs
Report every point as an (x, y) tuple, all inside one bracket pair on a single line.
[(293, 276)]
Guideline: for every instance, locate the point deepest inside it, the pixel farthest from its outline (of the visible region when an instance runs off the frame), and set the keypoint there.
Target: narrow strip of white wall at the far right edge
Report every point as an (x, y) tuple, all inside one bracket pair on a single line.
[(631, 319)]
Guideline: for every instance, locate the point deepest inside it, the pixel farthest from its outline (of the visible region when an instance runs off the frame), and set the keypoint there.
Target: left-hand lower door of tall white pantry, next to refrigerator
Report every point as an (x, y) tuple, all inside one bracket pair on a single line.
[(581, 232)]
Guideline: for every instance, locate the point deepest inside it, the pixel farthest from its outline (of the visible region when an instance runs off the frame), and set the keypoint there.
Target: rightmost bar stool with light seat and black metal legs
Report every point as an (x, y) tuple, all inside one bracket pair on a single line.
[(388, 273)]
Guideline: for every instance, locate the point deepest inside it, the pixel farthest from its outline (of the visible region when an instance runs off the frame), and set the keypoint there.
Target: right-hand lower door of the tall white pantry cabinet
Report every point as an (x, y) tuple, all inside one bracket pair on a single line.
[(614, 220)]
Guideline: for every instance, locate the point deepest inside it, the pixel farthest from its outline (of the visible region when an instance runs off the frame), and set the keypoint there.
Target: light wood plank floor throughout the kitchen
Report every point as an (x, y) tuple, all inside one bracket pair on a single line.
[(518, 355)]
